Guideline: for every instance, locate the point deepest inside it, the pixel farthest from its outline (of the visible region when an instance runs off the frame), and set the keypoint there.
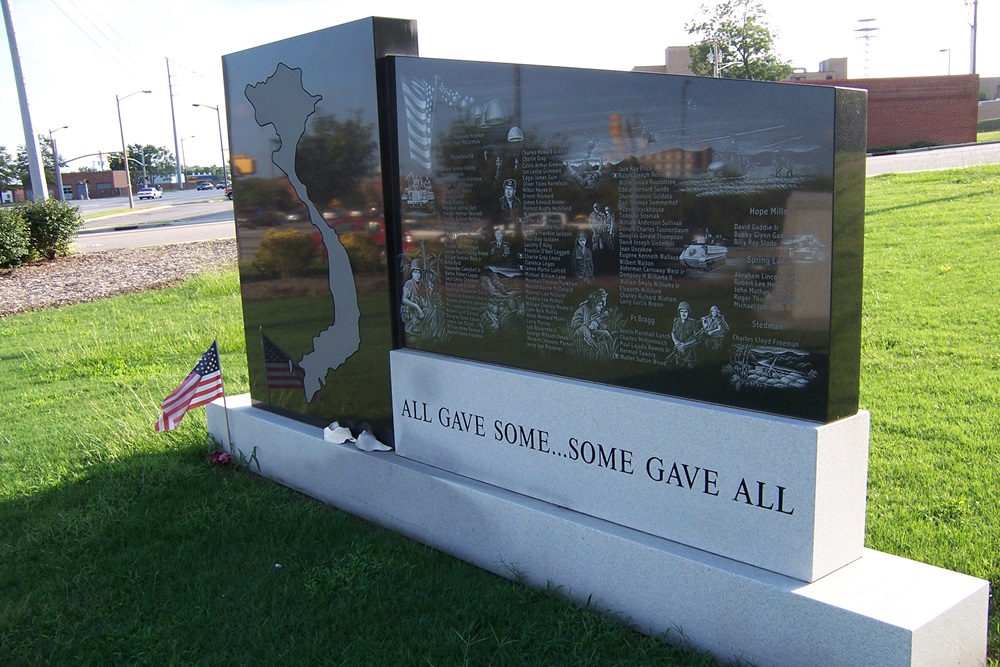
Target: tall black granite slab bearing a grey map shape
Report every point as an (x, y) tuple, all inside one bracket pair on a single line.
[(310, 223)]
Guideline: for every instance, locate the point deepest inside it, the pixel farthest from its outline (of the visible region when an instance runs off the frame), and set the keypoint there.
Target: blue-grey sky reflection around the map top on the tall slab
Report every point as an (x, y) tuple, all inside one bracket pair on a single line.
[(341, 70)]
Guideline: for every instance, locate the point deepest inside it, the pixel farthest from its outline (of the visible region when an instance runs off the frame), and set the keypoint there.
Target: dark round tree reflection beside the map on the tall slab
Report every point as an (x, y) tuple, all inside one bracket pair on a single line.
[(335, 158)]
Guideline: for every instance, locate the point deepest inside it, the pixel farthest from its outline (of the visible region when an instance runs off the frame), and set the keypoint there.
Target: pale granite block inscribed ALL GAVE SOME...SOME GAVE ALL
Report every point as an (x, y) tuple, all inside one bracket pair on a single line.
[(783, 494)]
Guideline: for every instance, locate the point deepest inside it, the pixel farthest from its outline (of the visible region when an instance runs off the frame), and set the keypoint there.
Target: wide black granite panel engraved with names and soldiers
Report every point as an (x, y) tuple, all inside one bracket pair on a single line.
[(693, 237)]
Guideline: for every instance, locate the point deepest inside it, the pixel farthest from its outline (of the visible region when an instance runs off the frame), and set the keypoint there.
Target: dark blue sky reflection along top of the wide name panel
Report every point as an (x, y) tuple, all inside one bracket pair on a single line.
[(573, 107)]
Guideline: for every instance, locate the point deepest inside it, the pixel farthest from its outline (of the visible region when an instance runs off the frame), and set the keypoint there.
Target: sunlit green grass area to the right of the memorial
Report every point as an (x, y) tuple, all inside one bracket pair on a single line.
[(931, 370)]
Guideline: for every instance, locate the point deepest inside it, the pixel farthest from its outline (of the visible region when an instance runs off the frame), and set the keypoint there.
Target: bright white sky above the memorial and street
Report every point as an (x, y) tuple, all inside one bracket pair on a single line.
[(77, 55)]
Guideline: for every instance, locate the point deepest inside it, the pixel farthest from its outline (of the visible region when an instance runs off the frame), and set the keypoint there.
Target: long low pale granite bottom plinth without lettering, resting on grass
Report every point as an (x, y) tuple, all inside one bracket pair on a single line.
[(879, 610)]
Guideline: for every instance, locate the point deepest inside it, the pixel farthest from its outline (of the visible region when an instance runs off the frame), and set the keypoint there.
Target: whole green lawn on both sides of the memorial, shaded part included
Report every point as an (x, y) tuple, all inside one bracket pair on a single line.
[(121, 545)]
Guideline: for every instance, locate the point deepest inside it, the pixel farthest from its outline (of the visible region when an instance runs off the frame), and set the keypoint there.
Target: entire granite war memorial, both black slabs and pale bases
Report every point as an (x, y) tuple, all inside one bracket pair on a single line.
[(688, 237)]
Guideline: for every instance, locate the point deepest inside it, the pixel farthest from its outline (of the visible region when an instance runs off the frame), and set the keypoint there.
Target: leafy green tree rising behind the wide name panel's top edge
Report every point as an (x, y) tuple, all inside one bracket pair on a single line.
[(735, 42)]
